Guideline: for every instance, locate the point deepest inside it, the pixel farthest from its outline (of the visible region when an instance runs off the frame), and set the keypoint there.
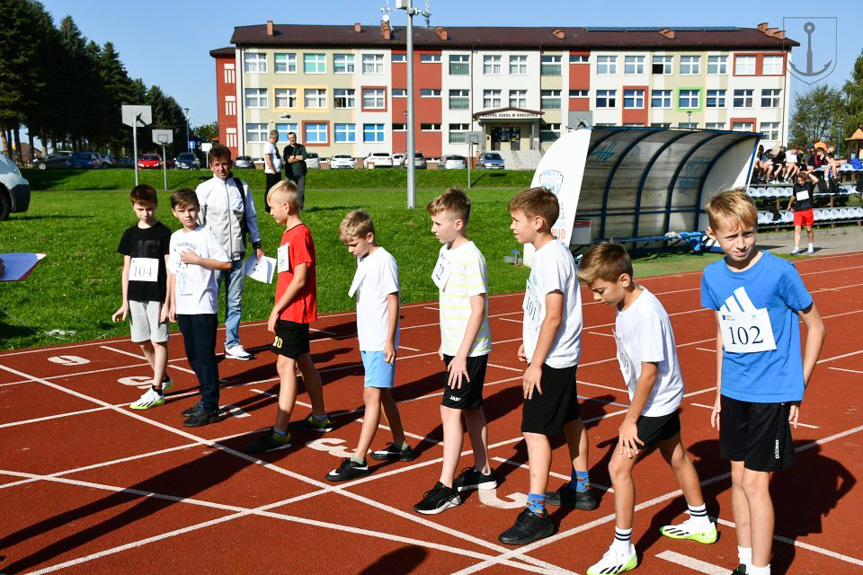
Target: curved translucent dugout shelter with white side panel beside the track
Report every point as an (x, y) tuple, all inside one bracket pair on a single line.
[(622, 182)]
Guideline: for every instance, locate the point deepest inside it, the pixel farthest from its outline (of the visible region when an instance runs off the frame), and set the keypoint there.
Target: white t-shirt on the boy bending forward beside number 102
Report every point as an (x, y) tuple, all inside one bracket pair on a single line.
[(643, 333)]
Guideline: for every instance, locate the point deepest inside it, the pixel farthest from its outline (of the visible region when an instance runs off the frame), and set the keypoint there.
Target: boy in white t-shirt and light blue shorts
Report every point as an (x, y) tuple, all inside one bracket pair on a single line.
[(376, 286)]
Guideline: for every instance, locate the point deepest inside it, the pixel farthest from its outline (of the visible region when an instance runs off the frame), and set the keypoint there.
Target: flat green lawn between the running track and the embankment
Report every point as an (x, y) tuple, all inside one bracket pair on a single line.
[(72, 293)]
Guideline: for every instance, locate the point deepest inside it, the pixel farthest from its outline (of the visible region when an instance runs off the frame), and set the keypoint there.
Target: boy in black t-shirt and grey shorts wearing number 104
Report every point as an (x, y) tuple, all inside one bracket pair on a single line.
[(145, 248)]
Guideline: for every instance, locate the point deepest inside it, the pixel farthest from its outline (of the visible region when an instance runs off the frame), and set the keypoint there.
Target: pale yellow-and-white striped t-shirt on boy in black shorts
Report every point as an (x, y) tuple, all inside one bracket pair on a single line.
[(461, 274)]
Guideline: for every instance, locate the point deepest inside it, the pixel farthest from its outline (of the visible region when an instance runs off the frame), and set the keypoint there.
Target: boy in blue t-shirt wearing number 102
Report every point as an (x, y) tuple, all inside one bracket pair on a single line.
[(758, 299)]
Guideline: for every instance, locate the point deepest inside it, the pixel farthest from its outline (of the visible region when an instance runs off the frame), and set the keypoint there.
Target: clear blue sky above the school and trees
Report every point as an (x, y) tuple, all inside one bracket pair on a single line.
[(167, 43)]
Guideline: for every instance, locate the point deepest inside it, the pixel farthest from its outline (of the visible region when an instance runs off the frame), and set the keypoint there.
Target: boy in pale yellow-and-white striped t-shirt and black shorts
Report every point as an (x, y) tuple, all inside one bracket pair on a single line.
[(461, 276)]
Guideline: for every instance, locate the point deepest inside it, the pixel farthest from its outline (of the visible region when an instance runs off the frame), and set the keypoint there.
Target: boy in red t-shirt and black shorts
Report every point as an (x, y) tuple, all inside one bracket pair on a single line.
[(295, 308)]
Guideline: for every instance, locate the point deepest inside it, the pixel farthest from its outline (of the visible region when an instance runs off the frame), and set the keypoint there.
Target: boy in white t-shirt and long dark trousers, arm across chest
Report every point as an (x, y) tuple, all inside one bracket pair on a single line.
[(195, 256)]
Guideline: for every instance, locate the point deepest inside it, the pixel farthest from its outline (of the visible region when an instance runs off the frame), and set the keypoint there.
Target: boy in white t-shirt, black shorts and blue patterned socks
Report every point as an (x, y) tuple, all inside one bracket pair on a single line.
[(551, 335)]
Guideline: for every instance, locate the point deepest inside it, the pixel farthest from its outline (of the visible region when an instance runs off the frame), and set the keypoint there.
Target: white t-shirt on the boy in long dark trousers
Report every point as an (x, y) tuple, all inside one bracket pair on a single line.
[(195, 288)]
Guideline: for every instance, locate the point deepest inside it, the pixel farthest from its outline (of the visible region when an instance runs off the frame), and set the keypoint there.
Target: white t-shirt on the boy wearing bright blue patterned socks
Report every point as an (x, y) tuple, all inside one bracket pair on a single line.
[(553, 270)]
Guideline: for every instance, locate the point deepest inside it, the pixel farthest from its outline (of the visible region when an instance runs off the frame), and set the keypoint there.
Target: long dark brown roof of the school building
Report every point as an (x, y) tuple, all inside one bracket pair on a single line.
[(547, 38)]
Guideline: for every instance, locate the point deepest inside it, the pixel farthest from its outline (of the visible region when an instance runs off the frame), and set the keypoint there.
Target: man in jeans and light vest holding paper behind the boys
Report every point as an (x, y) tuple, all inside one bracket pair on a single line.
[(228, 210)]
